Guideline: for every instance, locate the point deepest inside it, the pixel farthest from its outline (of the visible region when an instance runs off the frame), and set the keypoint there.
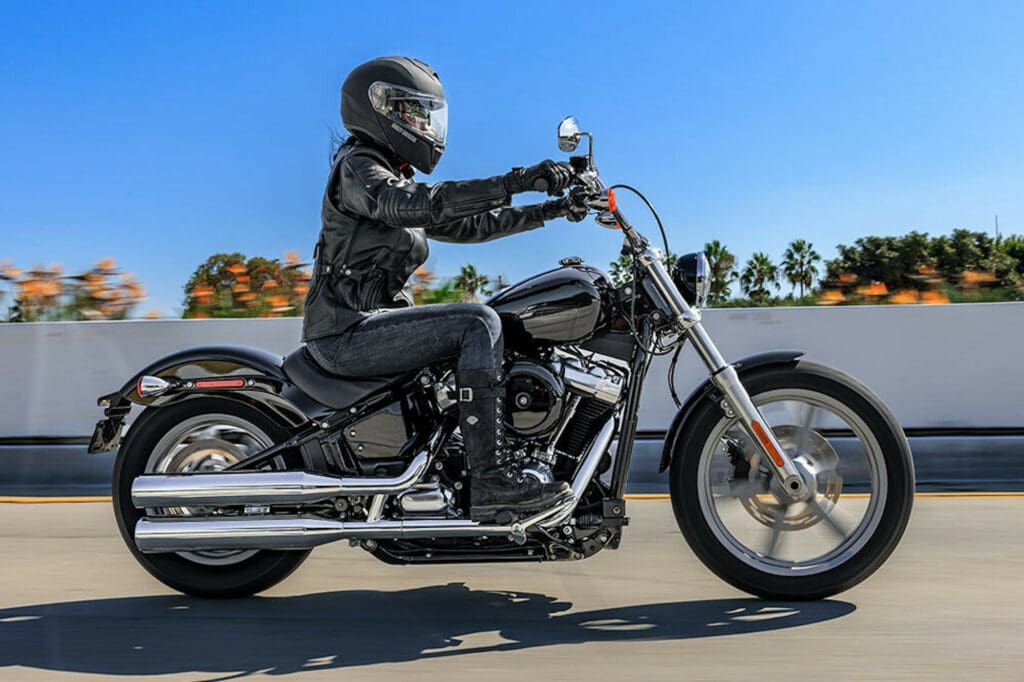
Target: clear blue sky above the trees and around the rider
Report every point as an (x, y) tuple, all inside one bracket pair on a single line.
[(159, 134)]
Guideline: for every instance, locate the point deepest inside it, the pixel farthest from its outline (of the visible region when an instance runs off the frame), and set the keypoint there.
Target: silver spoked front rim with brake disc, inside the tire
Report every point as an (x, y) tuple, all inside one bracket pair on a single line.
[(756, 521)]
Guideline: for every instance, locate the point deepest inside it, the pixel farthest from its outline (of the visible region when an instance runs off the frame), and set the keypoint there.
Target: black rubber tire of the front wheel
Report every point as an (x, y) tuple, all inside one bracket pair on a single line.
[(762, 575)]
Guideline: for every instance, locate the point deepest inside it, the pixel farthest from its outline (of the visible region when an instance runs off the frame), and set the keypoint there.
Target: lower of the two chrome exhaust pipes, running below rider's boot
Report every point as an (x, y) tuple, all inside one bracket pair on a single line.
[(300, 533)]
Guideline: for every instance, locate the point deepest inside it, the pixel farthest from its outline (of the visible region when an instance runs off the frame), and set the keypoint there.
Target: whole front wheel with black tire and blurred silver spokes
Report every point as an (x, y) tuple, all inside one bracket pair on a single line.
[(743, 527)]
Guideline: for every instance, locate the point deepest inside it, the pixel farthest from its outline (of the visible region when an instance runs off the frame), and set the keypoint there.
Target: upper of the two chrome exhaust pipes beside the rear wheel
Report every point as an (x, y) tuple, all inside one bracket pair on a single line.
[(264, 488)]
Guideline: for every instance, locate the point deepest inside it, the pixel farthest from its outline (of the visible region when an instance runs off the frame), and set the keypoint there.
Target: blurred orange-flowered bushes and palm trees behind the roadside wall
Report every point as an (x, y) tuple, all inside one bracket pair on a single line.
[(965, 266)]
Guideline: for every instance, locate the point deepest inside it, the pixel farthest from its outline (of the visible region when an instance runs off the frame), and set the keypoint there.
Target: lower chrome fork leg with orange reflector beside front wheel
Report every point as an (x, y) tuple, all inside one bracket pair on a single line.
[(727, 379)]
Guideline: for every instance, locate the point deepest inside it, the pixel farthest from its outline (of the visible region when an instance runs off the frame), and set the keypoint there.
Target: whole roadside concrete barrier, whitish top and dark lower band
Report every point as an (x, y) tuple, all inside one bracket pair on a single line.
[(953, 375)]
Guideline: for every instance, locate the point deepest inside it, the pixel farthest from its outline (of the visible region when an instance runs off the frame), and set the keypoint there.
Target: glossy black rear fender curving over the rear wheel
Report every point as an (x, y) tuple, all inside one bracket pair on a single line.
[(268, 388)]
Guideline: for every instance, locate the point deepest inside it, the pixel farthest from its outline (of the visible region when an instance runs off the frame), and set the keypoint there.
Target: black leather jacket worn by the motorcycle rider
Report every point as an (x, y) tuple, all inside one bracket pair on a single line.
[(376, 224)]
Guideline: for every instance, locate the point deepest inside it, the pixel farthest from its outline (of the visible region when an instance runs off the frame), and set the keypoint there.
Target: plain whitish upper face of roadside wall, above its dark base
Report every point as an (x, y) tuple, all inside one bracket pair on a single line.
[(952, 366)]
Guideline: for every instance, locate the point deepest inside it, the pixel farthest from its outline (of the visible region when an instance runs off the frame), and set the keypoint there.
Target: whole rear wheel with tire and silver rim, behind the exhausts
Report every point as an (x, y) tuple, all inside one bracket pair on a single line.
[(199, 436)]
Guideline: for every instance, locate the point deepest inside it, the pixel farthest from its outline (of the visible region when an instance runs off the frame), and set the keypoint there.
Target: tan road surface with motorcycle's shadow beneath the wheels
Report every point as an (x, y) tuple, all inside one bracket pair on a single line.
[(950, 605)]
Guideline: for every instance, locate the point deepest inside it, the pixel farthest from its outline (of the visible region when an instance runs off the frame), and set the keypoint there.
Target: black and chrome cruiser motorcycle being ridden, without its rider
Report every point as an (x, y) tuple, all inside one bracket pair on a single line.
[(789, 480)]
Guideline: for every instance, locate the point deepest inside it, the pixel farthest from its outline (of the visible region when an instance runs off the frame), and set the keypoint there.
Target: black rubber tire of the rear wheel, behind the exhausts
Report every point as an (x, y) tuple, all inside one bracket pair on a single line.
[(255, 573)]
